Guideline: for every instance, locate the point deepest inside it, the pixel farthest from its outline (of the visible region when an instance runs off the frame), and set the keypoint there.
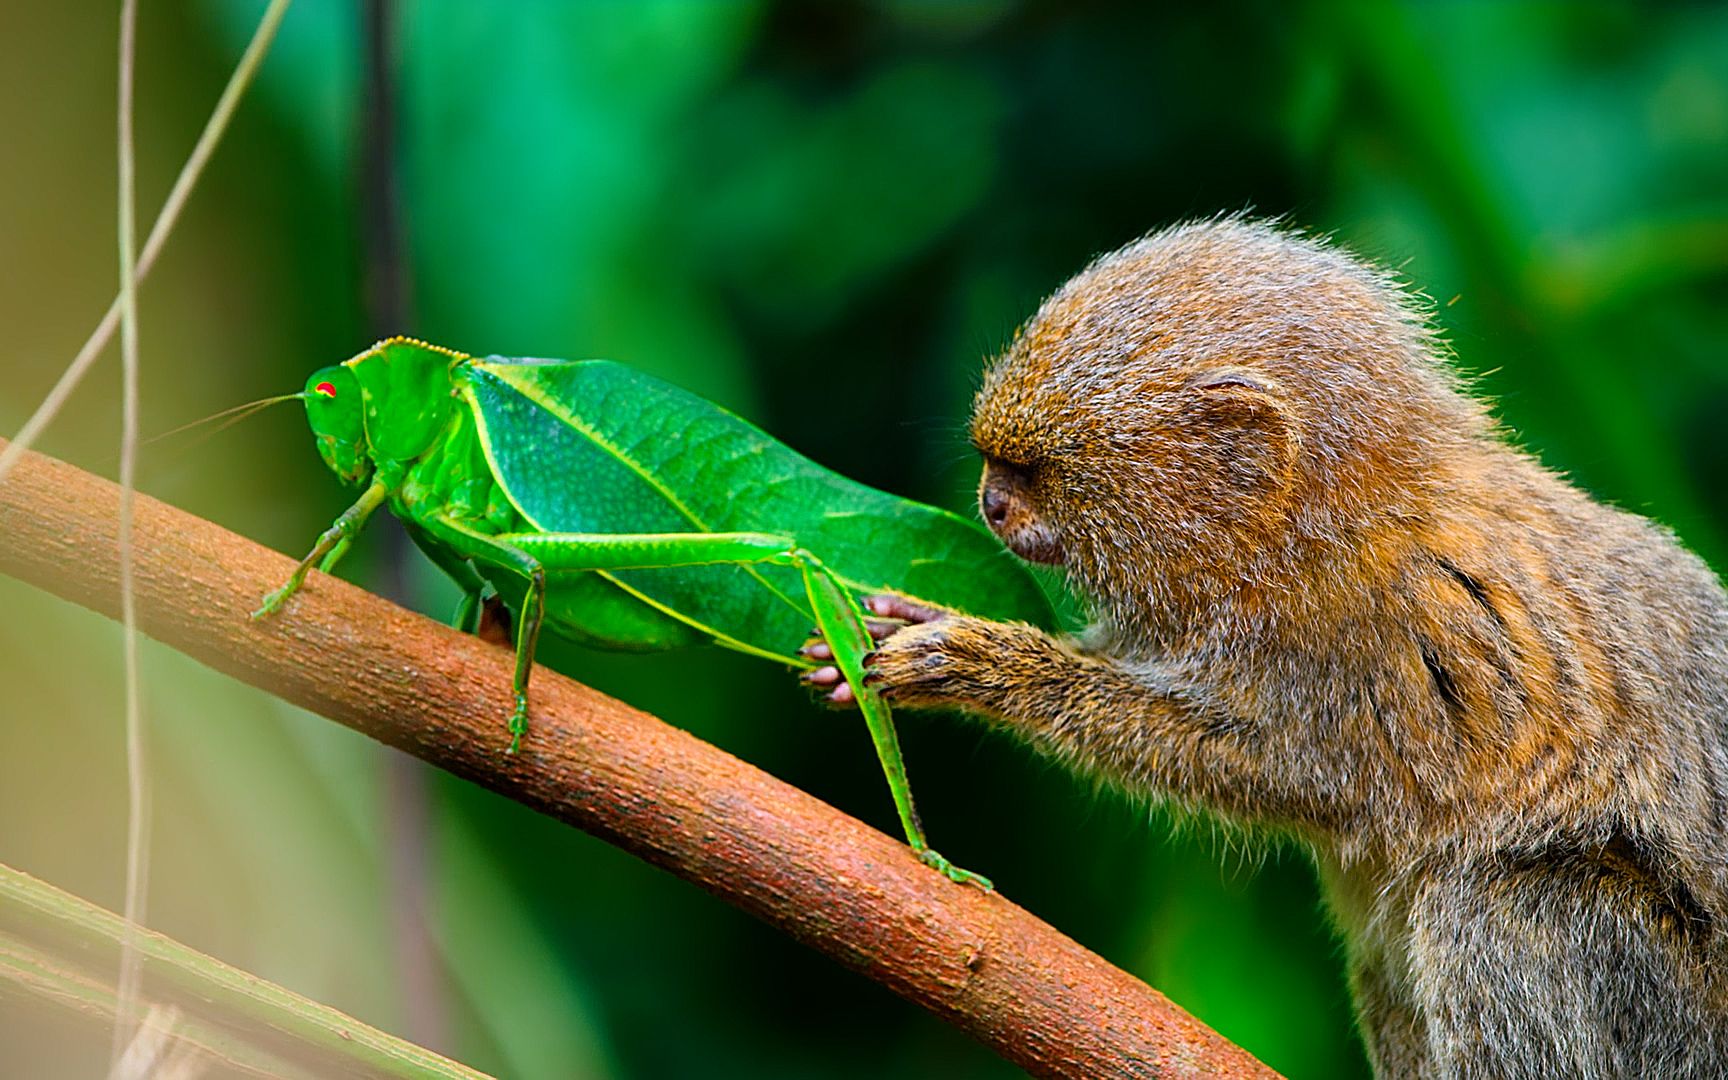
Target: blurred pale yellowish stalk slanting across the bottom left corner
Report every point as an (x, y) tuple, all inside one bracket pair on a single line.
[(65, 950)]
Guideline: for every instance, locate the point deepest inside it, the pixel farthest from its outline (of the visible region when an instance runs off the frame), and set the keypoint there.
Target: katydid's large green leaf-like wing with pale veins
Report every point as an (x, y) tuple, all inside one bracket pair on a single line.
[(594, 447)]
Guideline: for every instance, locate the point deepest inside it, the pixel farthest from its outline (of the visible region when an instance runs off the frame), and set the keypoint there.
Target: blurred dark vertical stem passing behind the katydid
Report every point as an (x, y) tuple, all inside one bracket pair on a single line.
[(388, 312)]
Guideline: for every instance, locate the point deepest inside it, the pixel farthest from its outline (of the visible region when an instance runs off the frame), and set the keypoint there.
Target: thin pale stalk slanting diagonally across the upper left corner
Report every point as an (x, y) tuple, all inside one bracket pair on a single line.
[(165, 226)]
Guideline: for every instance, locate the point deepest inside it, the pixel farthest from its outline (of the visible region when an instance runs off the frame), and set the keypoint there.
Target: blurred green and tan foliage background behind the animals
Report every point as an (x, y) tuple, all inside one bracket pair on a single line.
[(825, 217)]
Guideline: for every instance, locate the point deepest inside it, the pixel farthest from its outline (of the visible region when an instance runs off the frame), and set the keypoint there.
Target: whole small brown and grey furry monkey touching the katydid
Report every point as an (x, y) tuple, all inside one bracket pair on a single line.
[(1333, 600)]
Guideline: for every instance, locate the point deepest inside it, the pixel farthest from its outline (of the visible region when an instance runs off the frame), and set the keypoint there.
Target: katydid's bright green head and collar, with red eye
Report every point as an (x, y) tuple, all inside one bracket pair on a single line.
[(390, 405)]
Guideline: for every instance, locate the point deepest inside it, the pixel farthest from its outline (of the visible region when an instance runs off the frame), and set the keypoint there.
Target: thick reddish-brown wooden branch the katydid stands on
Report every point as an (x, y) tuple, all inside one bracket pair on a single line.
[(974, 960)]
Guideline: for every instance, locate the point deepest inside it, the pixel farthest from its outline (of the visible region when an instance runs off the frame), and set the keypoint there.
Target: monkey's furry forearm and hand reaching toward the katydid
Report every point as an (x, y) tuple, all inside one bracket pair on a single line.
[(1143, 728)]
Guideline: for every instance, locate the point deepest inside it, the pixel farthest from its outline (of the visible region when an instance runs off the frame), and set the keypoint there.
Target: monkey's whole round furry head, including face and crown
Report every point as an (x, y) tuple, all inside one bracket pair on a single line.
[(1212, 402)]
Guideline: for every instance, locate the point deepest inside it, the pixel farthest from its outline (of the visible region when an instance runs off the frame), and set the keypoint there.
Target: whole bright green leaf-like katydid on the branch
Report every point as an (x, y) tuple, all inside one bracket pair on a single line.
[(623, 512)]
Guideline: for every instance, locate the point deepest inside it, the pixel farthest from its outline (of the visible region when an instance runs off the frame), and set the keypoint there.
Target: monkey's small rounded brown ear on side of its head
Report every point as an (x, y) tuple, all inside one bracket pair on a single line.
[(1250, 426)]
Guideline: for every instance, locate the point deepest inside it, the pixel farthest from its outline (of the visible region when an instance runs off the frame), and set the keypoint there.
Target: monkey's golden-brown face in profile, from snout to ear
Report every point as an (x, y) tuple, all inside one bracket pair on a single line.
[(1133, 471)]
